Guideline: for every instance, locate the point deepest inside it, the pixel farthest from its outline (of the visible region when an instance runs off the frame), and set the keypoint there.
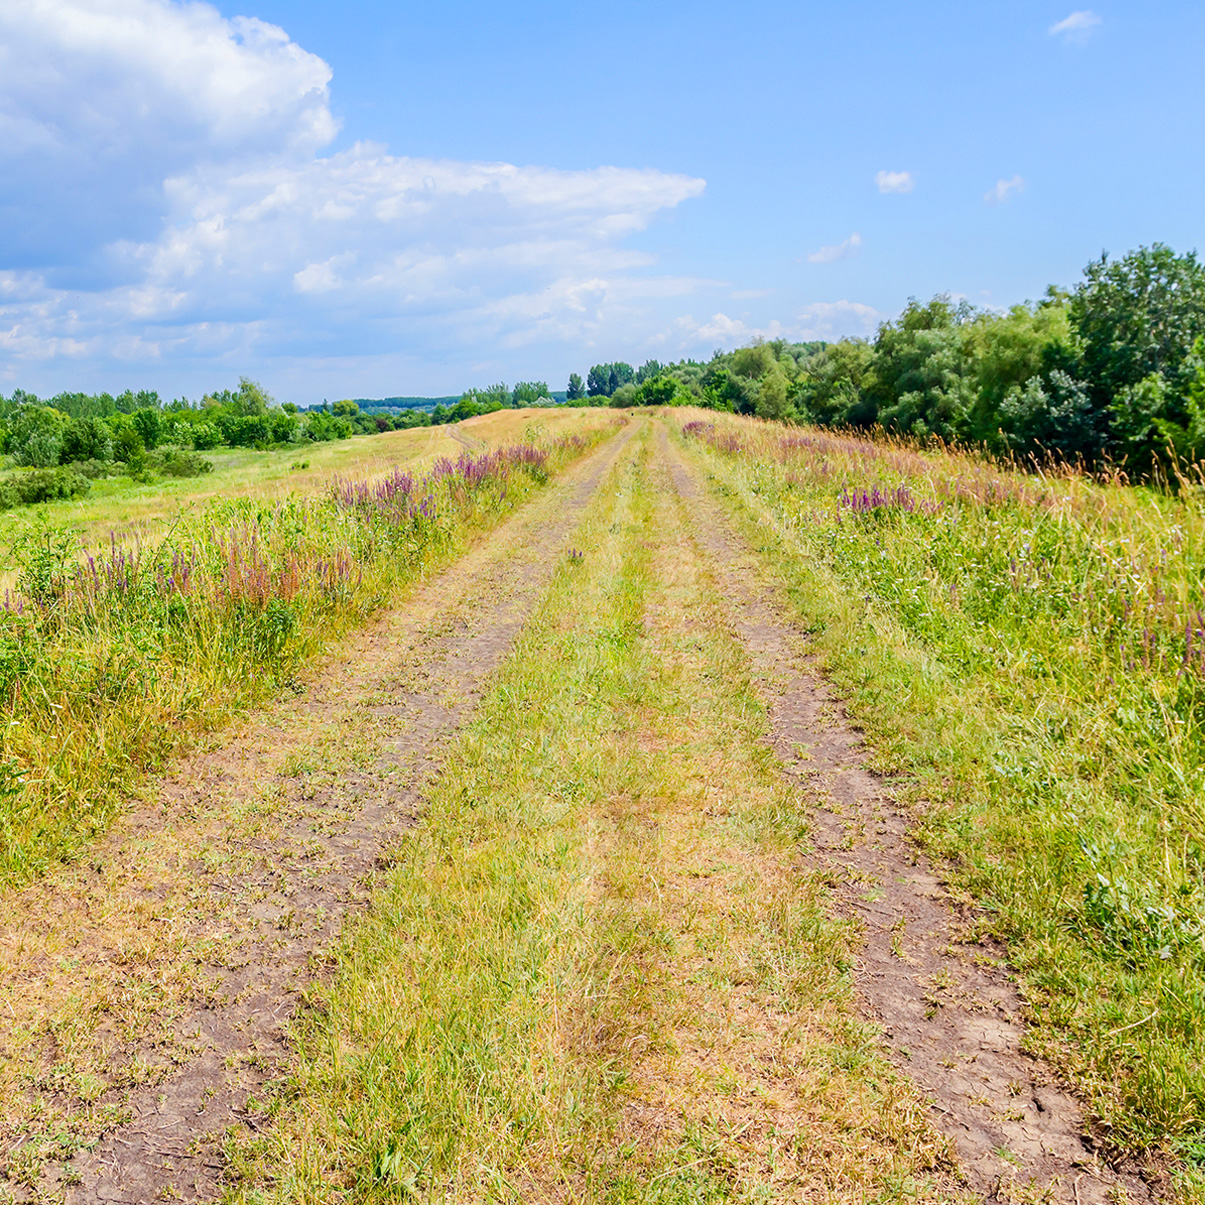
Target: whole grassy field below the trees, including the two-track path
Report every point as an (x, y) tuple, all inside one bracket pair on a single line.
[(671, 808)]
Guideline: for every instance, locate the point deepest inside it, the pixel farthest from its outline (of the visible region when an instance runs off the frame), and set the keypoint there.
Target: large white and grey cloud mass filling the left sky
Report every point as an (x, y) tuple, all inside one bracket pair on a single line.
[(164, 199)]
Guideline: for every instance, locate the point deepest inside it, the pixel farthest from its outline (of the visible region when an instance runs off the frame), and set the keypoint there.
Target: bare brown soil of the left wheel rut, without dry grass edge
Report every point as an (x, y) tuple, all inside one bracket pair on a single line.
[(410, 689)]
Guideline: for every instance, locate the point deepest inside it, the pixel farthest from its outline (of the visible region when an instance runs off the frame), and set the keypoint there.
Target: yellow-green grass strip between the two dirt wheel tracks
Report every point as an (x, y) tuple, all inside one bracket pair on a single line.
[(596, 972)]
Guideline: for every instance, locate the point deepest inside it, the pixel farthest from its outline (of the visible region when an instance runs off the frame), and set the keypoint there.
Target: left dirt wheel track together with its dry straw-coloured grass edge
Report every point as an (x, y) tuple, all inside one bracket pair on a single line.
[(149, 990)]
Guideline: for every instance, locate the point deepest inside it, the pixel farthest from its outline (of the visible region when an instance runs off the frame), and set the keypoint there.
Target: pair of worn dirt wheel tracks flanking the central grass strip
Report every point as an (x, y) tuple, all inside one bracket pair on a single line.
[(155, 983)]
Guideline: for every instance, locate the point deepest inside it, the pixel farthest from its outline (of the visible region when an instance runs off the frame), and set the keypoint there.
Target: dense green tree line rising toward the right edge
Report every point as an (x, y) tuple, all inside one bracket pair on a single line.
[(1113, 369)]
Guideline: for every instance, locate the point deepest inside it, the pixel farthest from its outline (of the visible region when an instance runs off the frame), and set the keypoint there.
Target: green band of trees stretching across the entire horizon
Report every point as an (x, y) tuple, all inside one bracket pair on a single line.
[(1112, 371)]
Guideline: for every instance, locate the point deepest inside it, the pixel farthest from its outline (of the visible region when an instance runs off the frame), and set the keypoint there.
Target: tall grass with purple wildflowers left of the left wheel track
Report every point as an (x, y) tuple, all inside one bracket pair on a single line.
[(110, 662)]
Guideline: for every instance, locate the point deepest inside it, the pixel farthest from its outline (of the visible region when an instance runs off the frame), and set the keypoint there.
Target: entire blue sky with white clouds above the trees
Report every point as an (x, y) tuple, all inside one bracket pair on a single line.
[(379, 199)]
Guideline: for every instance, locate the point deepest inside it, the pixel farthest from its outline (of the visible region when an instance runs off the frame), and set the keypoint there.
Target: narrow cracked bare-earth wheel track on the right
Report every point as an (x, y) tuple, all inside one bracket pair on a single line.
[(951, 1014)]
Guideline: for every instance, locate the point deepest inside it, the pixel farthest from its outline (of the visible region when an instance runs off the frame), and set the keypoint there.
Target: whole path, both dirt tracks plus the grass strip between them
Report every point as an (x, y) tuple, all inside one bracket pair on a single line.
[(521, 906)]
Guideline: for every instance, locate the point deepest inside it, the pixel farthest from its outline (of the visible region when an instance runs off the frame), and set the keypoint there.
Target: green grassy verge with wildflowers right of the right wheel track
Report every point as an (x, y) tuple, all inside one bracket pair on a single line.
[(1031, 650)]
